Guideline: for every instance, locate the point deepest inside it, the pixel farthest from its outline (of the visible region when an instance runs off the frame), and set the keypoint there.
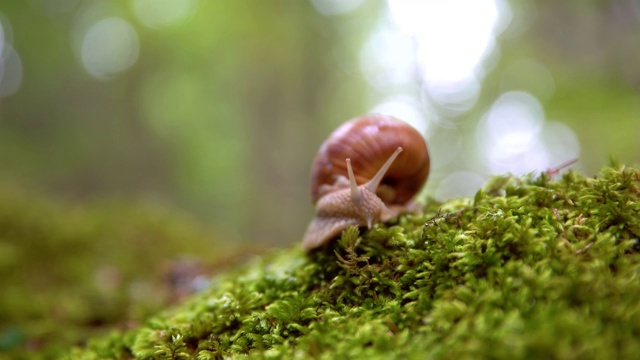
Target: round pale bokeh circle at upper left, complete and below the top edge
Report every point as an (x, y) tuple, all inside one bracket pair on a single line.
[(109, 46)]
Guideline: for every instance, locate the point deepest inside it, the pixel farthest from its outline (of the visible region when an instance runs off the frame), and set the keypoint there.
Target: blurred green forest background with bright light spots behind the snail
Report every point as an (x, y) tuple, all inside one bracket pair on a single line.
[(218, 107)]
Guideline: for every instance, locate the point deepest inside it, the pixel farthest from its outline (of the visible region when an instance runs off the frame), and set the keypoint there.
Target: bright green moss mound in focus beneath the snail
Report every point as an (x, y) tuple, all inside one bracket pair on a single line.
[(530, 268)]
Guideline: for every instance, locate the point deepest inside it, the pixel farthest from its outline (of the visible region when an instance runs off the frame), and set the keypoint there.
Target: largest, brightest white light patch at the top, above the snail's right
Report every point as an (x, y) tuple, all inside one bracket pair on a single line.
[(451, 45)]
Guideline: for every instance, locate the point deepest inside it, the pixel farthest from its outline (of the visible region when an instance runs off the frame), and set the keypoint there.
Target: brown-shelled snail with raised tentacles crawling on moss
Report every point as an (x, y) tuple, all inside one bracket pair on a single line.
[(367, 171)]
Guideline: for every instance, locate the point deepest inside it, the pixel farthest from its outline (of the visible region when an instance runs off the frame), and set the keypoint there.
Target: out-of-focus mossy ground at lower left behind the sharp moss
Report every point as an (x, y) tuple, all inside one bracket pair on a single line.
[(68, 272)]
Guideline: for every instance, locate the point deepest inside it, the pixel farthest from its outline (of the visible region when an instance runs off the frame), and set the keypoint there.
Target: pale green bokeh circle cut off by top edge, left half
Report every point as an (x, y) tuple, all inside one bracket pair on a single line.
[(158, 13)]
